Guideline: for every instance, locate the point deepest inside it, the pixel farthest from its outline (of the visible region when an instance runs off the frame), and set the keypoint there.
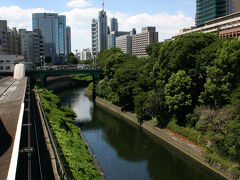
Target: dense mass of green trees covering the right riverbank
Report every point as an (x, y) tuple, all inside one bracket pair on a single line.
[(193, 79)]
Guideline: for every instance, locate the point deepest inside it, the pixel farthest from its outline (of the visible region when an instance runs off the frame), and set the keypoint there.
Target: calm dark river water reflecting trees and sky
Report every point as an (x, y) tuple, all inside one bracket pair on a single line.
[(125, 152)]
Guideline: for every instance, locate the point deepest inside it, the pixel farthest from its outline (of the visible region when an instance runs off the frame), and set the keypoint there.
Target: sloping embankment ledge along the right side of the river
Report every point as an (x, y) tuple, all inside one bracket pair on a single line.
[(179, 142)]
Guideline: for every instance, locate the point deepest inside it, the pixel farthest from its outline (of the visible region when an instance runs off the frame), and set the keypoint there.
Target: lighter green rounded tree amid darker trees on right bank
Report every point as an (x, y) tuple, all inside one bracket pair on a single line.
[(178, 93)]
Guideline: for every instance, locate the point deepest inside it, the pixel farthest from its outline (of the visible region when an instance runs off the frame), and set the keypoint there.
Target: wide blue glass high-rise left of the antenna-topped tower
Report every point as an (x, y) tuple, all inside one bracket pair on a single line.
[(53, 29)]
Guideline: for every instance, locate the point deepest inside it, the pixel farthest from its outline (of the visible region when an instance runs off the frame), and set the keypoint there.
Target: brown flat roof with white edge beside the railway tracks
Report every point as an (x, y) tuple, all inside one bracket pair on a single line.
[(12, 93)]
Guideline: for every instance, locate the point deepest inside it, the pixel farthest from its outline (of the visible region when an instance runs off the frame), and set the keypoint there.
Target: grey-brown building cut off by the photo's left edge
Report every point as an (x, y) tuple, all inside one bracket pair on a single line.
[(3, 37)]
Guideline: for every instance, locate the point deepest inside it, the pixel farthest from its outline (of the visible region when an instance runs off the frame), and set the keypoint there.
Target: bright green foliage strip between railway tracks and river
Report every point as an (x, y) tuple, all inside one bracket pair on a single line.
[(74, 152)]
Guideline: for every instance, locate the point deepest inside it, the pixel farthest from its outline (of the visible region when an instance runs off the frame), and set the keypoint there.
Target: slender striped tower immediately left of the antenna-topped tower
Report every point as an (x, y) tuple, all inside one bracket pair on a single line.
[(94, 29)]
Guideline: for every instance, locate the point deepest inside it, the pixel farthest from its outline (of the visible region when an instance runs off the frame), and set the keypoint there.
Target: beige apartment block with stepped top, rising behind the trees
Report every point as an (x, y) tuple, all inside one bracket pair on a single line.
[(142, 40)]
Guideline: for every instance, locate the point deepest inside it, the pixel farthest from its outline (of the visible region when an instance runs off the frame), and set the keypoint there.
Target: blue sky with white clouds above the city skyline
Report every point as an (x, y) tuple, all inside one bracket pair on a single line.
[(168, 16)]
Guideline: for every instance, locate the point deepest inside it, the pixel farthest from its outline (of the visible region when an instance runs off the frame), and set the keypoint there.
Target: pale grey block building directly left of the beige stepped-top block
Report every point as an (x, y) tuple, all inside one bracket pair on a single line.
[(124, 43)]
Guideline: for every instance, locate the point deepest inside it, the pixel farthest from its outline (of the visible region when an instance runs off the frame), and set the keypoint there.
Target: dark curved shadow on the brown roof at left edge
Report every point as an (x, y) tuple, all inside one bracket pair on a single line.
[(5, 139)]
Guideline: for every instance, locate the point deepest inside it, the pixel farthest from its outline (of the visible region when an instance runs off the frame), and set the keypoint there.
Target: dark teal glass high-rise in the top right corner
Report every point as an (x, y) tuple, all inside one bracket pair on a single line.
[(210, 9)]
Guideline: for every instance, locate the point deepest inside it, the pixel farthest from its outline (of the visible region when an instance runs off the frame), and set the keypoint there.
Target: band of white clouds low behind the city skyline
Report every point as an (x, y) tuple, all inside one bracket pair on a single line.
[(80, 21)]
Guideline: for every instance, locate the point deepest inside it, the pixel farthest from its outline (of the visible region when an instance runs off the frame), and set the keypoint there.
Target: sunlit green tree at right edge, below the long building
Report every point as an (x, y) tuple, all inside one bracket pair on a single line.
[(223, 75)]
